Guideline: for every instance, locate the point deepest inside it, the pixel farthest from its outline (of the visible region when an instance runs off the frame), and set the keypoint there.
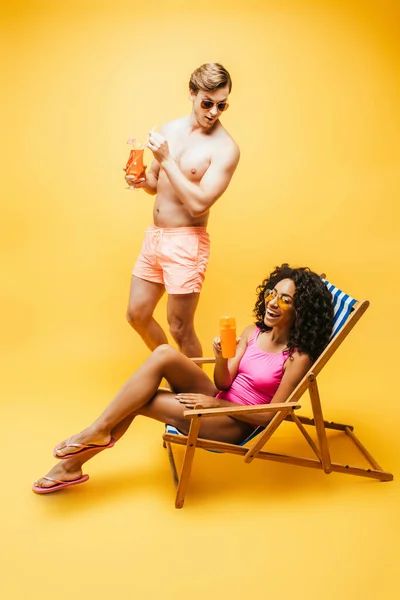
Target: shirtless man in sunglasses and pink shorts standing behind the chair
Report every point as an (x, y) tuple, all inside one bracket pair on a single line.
[(194, 160)]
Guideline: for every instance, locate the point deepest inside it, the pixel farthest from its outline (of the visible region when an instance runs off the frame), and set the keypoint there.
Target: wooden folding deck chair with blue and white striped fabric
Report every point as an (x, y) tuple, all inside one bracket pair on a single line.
[(347, 312)]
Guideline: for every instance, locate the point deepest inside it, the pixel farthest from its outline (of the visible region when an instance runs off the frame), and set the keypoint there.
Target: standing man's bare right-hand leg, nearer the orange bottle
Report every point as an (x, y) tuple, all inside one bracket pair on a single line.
[(180, 313)]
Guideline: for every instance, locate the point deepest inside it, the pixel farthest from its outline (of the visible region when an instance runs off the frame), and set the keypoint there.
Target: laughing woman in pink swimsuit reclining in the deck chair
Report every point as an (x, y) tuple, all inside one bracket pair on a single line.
[(293, 323)]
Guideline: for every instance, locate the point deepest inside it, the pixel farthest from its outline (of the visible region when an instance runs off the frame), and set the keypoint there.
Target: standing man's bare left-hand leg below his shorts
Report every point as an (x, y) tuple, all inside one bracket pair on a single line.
[(143, 298)]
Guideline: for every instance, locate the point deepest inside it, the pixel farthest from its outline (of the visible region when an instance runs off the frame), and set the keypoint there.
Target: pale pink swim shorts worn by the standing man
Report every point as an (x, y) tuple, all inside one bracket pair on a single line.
[(177, 257)]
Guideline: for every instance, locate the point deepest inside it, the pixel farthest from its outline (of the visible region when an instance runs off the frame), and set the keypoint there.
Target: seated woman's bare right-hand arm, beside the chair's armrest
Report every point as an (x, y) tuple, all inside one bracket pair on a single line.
[(294, 371)]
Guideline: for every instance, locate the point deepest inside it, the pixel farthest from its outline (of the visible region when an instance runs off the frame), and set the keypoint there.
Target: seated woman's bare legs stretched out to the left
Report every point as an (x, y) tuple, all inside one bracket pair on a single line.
[(139, 396)]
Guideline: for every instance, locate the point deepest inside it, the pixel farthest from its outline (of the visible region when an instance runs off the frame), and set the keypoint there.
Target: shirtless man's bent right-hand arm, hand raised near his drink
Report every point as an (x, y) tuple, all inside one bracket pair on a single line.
[(197, 198)]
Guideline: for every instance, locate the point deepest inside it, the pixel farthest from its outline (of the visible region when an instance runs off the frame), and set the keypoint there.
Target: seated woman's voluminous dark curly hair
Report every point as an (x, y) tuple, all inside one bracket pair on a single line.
[(313, 306)]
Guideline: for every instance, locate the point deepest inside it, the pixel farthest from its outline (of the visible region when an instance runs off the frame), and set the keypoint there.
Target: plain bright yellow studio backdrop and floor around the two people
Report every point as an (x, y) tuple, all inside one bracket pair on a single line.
[(315, 111)]
